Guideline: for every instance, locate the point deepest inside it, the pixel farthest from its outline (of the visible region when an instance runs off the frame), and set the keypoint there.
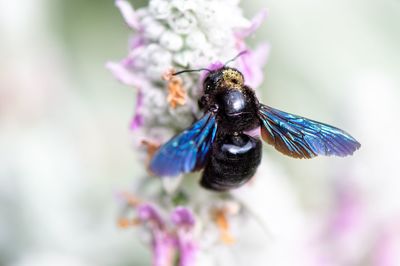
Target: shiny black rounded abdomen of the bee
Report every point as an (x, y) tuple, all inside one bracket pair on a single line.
[(234, 160)]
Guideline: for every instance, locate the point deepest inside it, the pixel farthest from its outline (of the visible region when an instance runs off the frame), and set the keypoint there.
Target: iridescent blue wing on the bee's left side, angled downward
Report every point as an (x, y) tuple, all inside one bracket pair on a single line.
[(187, 151)]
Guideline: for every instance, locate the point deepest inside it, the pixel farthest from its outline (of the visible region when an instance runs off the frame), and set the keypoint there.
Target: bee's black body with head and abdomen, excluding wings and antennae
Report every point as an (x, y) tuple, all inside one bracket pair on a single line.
[(234, 156)]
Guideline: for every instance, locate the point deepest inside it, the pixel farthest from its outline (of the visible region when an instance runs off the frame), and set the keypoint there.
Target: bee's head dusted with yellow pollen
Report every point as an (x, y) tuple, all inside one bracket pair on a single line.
[(224, 77)]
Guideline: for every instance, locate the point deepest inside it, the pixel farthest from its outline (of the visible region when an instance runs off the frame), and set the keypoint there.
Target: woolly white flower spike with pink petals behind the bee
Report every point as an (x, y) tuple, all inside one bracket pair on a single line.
[(182, 219)]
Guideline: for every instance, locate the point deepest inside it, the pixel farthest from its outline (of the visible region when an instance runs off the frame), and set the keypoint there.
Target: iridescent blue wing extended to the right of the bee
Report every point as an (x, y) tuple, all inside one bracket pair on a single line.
[(300, 137)]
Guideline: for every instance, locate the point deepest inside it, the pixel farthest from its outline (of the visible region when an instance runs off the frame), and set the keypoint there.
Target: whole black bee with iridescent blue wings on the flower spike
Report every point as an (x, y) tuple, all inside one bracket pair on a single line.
[(218, 142)]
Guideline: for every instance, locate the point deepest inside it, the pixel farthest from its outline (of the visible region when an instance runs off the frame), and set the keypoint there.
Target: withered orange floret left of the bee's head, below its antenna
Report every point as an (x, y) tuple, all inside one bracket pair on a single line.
[(176, 92)]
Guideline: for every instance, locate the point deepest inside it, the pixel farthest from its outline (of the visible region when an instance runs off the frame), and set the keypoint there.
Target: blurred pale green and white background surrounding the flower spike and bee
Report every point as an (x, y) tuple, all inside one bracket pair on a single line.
[(65, 147)]
